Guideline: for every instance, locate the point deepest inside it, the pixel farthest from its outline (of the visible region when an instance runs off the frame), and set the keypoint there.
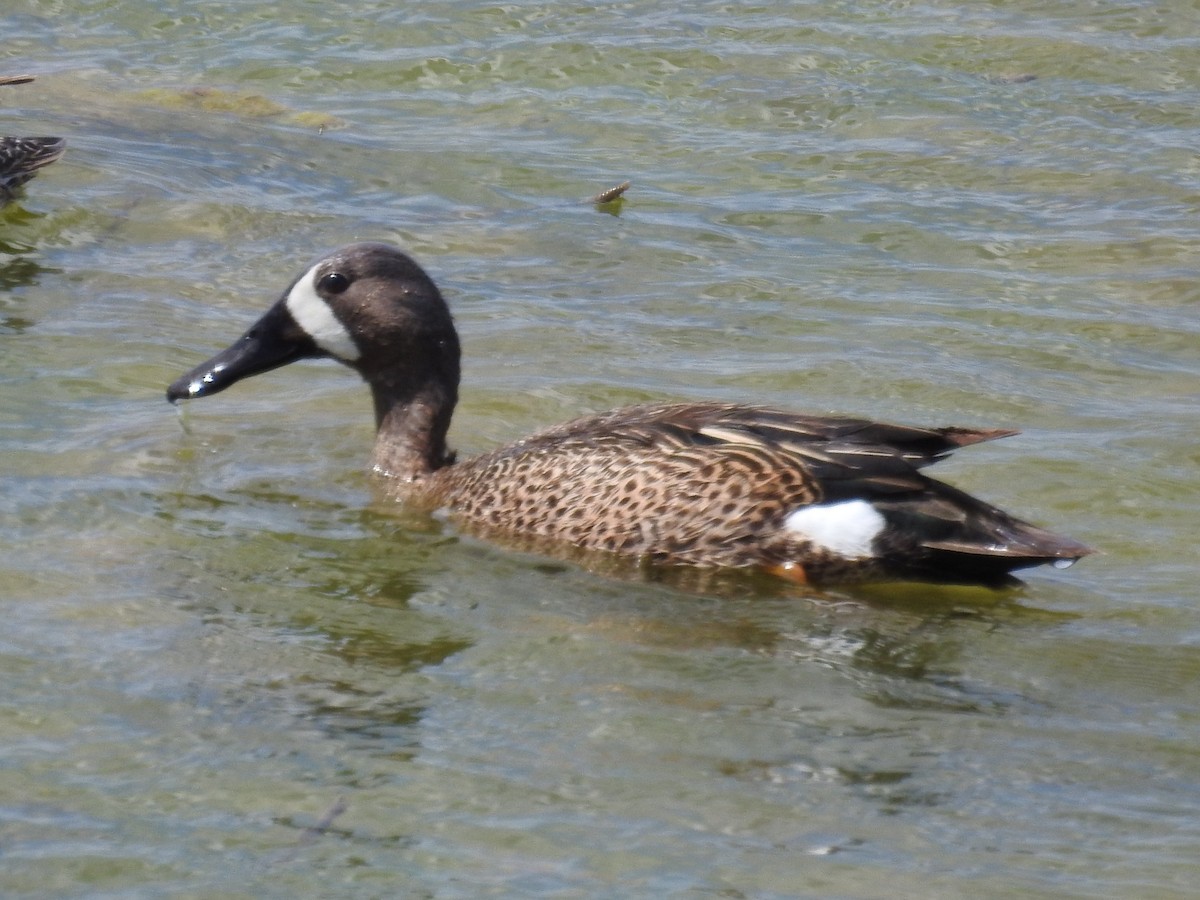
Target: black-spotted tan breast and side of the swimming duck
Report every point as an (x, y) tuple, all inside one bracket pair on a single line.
[(694, 484)]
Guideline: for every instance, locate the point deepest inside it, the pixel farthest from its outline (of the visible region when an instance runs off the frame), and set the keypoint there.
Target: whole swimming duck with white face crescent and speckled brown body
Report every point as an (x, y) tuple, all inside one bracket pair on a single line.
[(814, 500)]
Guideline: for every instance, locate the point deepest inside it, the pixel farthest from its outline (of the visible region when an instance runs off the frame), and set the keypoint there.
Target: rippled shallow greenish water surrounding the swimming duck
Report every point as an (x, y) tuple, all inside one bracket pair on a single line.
[(232, 671)]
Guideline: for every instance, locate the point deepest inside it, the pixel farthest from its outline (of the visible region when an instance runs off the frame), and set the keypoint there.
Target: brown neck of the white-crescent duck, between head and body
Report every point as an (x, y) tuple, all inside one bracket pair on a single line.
[(411, 440)]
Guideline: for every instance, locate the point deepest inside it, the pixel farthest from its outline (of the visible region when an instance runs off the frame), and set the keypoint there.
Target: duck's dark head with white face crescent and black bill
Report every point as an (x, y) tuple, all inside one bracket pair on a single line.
[(367, 305)]
